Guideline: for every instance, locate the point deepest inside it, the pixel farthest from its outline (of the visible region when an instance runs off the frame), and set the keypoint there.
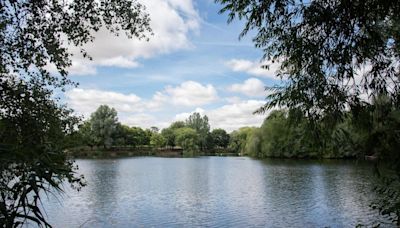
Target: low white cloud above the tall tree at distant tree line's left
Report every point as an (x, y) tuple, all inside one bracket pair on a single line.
[(86, 101)]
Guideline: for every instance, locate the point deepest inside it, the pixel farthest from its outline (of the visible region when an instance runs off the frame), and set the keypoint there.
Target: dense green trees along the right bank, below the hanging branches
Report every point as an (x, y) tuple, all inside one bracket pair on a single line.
[(286, 133)]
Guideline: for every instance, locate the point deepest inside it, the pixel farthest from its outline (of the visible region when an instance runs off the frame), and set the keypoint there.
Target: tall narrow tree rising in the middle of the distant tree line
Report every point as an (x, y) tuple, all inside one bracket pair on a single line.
[(201, 126)]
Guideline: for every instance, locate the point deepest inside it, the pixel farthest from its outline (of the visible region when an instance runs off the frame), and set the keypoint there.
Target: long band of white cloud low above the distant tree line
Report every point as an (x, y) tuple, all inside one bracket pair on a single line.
[(135, 111)]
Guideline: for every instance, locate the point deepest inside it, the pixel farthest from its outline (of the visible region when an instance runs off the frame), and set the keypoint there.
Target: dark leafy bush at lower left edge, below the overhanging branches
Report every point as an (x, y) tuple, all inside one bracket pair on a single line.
[(32, 159)]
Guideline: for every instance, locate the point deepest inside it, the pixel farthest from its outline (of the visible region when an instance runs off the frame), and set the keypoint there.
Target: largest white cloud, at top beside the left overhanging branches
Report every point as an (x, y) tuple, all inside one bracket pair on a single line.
[(171, 22)]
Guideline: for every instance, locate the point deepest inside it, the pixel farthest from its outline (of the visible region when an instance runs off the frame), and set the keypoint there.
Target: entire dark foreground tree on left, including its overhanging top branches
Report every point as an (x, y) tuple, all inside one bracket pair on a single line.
[(33, 35)]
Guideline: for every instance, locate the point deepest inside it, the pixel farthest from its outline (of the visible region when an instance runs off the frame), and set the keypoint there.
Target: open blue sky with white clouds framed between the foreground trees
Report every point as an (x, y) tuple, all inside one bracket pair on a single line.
[(194, 62)]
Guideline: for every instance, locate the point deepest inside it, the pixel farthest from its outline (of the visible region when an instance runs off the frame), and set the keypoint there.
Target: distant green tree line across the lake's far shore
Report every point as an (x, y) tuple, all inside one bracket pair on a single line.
[(103, 130)]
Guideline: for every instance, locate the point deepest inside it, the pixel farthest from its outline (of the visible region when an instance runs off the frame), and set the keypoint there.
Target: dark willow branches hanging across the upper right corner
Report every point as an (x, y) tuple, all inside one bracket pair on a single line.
[(334, 56)]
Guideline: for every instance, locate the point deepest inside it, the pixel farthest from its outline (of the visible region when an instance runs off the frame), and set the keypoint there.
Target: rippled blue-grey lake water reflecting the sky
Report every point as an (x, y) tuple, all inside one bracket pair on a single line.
[(216, 192)]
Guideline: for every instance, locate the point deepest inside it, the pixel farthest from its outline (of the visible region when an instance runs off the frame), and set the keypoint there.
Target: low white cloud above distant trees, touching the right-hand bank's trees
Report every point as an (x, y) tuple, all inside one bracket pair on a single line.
[(231, 116)]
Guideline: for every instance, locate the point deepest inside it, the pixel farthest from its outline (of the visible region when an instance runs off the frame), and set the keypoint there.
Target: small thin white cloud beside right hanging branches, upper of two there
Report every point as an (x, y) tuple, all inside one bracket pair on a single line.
[(253, 67)]
